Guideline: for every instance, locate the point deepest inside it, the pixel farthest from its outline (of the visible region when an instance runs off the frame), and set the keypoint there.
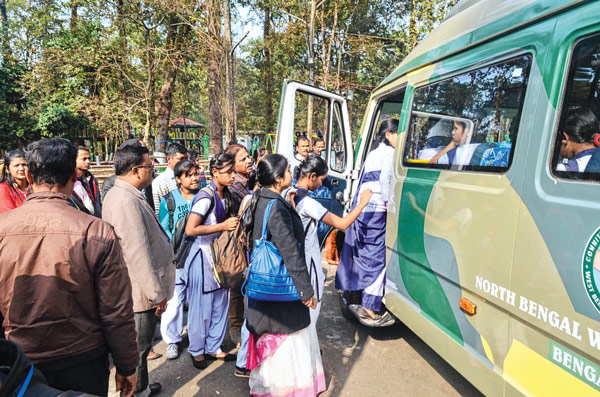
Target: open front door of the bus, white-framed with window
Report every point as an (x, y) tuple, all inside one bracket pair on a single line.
[(310, 112)]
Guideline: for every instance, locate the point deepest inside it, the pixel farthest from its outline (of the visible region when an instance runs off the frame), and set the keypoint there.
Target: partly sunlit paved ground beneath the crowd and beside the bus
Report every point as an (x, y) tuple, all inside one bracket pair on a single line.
[(358, 361)]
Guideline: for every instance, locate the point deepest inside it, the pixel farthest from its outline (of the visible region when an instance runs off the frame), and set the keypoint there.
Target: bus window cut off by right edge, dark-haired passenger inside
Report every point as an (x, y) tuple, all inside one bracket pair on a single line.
[(576, 154)]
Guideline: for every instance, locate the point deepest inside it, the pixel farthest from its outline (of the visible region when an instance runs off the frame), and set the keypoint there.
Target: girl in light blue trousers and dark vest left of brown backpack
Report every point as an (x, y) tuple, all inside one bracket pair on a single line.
[(208, 302)]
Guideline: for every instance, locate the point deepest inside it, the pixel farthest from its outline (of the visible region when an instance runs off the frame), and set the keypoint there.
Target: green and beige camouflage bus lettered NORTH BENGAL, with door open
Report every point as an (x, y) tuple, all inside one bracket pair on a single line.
[(492, 245)]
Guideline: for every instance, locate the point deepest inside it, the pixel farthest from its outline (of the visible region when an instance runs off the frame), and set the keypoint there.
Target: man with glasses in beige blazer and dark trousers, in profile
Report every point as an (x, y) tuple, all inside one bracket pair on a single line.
[(146, 249)]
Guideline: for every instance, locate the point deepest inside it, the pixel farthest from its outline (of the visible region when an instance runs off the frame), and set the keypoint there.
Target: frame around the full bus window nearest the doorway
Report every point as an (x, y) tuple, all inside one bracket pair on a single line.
[(504, 58)]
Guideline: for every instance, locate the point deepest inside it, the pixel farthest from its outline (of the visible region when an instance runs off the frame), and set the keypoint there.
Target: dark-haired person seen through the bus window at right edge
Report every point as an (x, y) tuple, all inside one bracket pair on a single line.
[(577, 143)]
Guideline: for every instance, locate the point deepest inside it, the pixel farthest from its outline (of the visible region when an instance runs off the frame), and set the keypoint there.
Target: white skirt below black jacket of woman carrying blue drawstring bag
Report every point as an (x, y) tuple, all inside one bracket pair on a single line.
[(295, 368)]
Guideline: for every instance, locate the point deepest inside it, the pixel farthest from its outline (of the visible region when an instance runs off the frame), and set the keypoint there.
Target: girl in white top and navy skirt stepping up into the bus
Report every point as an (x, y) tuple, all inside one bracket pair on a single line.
[(363, 259)]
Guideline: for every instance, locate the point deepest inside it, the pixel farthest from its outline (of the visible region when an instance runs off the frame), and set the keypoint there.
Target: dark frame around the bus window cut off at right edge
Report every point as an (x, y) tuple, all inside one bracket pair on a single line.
[(568, 176)]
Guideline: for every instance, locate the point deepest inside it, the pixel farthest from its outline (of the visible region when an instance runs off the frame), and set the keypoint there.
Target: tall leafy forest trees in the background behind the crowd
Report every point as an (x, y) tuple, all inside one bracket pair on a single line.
[(99, 65)]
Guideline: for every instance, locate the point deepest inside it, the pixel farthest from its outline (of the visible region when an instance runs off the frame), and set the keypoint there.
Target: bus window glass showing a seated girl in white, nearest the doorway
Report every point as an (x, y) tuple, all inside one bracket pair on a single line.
[(468, 122)]
